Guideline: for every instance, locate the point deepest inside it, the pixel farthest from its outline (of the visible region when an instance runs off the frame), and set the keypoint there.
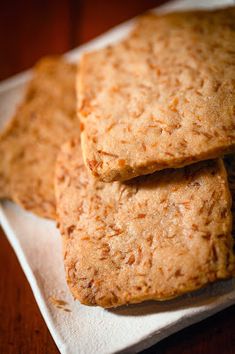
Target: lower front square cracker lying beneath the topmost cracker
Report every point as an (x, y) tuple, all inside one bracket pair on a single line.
[(154, 237)]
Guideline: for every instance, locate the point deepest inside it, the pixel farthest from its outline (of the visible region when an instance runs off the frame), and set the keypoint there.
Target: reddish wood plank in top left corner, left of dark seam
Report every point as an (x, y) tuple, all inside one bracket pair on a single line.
[(31, 29)]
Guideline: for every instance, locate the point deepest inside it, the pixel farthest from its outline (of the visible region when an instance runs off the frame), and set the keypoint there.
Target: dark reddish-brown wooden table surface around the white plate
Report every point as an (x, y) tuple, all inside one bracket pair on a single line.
[(28, 30)]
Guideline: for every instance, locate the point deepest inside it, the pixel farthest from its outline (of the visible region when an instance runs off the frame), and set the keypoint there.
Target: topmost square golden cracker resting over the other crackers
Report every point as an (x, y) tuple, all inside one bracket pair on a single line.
[(164, 97)]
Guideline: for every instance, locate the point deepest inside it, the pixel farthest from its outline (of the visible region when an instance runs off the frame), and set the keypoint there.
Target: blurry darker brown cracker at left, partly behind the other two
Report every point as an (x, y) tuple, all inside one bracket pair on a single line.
[(30, 142)]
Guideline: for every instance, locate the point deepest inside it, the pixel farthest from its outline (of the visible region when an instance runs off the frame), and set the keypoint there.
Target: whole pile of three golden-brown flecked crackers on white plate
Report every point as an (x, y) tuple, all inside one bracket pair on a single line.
[(143, 202)]
